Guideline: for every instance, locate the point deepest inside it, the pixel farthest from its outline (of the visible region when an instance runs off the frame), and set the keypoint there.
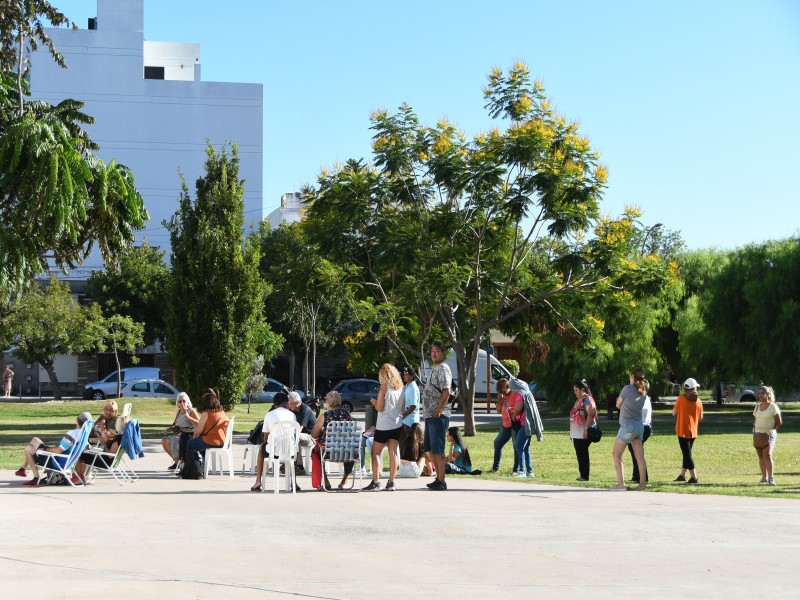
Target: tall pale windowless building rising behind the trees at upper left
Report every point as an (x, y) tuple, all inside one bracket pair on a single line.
[(153, 113)]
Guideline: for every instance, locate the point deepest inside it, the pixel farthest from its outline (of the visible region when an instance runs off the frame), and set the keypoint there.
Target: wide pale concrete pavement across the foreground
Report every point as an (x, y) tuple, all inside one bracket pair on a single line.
[(172, 538)]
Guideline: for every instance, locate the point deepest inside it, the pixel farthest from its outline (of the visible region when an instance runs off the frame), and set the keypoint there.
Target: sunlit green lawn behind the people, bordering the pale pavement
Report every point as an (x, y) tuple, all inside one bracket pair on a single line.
[(726, 461)]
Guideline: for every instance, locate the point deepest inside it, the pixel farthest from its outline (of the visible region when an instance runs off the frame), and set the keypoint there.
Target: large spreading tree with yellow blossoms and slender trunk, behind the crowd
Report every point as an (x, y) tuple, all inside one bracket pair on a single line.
[(456, 237)]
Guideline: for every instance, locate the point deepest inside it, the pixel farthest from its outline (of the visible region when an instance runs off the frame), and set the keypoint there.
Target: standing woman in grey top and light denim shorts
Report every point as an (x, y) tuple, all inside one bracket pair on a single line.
[(631, 427)]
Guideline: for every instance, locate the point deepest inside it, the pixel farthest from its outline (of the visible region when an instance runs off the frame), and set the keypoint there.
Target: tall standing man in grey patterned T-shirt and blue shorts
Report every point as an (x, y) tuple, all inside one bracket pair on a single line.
[(436, 410)]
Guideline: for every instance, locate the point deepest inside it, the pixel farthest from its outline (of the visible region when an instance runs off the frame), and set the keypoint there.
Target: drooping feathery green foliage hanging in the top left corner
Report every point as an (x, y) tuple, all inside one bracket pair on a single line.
[(57, 199)]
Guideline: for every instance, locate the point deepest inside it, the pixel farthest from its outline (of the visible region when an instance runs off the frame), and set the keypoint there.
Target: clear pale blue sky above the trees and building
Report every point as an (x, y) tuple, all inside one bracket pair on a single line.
[(693, 105)]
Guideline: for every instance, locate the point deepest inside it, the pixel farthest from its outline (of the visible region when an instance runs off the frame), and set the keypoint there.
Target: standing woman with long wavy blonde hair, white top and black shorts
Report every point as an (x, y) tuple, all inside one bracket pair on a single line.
[(388, 426)]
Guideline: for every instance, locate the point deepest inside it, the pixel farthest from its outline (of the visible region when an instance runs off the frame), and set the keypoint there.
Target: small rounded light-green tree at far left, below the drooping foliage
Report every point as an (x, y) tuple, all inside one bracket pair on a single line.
[(46, 322)]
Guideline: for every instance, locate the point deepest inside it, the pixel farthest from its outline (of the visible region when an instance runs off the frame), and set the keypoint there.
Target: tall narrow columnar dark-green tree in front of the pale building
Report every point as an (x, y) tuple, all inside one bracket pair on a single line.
[(215, 321)]
